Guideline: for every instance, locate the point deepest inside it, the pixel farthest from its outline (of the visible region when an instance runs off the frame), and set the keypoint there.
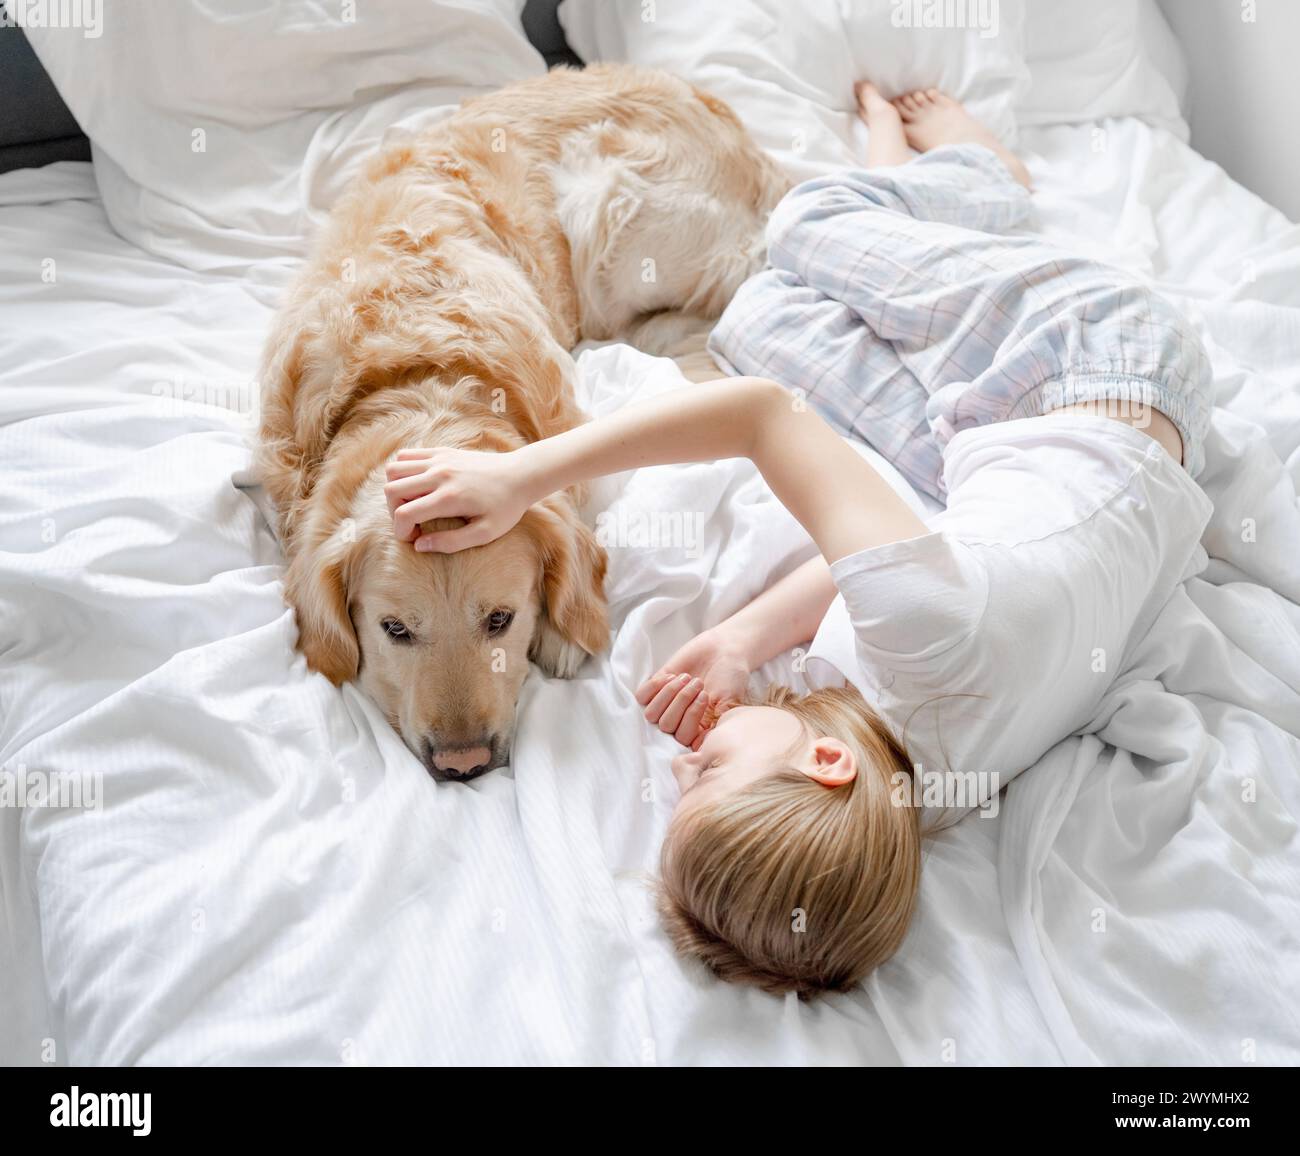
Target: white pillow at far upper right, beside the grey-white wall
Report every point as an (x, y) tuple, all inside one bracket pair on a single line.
[(1103, 59)]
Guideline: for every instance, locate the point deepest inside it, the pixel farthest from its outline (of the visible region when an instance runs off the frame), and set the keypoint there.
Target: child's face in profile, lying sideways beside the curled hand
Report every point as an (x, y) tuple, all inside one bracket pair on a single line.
[(747, 744)]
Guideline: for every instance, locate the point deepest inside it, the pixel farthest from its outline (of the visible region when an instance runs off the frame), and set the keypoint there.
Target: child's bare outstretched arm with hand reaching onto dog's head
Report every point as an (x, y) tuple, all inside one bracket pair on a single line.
[(839, 499)]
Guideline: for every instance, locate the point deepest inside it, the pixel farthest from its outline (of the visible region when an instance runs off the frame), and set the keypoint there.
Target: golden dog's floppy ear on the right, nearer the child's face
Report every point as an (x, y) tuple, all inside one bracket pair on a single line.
[(575, 622)]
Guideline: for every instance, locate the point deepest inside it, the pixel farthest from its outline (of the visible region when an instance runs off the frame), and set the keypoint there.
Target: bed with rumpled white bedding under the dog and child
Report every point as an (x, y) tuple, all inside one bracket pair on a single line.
[(267, 877)]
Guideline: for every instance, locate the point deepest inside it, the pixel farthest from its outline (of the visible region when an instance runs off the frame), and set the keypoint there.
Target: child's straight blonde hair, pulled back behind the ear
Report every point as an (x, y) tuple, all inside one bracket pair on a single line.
[(792, 886)]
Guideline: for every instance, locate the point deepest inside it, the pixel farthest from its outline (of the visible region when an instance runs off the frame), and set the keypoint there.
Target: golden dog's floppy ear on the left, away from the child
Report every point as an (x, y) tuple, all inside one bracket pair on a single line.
[(317, 587)]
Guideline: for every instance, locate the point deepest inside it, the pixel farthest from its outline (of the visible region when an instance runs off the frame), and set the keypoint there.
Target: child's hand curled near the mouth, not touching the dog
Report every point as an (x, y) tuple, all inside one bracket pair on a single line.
[(705, 677)]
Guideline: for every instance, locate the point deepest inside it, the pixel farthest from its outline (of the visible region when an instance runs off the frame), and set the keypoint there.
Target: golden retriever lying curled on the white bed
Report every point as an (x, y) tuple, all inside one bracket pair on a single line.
[(439, 310)]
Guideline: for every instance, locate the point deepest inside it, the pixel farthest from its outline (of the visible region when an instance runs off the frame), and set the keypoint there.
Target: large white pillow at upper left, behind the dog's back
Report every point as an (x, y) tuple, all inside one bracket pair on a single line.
[(224, 129)]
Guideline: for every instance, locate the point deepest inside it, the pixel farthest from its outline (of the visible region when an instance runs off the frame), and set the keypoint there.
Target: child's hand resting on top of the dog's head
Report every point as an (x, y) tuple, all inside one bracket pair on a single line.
[(489, 491)]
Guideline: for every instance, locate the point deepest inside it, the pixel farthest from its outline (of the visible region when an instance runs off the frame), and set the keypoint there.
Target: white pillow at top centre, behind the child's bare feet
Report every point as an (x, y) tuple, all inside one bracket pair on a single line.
[(788, 70)]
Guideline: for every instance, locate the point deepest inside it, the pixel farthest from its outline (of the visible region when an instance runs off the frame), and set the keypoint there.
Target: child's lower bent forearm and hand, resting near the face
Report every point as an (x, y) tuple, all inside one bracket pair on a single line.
[(717, 664)]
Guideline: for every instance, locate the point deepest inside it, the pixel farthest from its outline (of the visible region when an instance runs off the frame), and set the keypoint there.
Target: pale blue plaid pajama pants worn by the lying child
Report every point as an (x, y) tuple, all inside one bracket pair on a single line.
[(899, 305)]
